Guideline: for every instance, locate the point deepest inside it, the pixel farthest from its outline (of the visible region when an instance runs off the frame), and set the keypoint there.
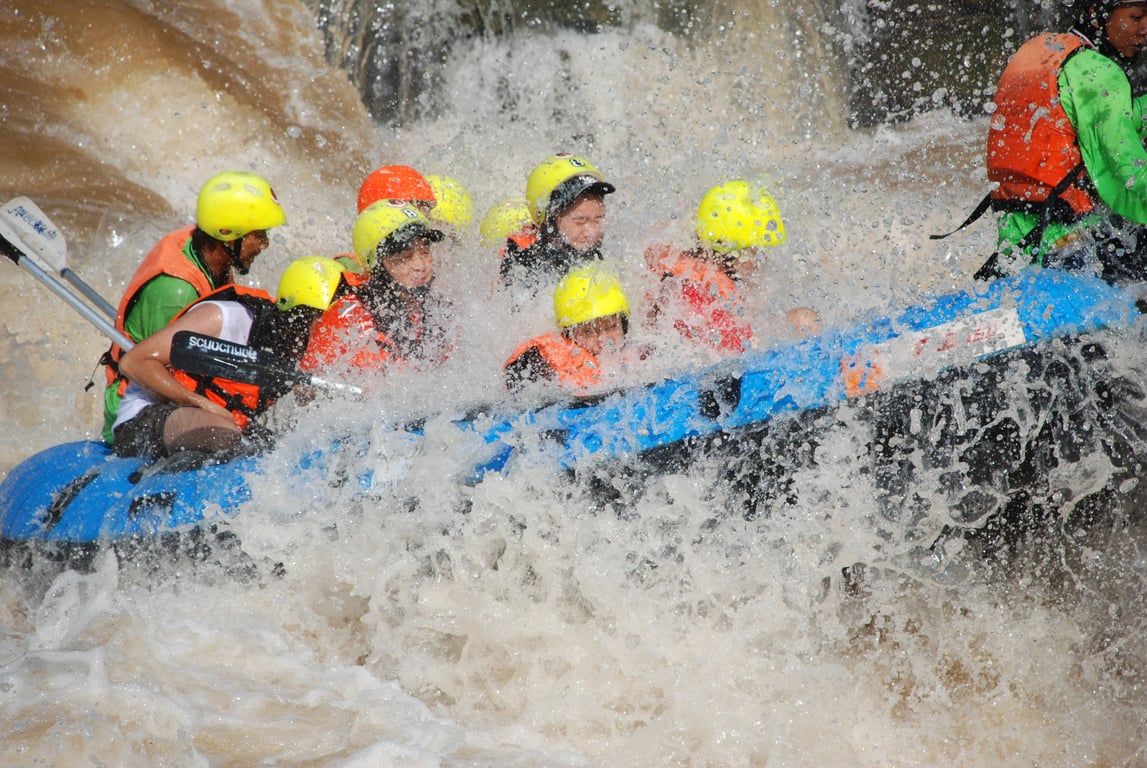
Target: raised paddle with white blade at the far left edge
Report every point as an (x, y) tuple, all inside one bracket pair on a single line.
[(25, 230)]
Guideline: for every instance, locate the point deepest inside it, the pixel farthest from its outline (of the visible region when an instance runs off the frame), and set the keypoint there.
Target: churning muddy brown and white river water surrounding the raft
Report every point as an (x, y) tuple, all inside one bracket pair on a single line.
[(520, 623)]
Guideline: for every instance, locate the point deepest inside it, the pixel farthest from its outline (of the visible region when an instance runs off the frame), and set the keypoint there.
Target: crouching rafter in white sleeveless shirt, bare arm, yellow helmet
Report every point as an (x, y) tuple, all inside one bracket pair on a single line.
[(166, 411)]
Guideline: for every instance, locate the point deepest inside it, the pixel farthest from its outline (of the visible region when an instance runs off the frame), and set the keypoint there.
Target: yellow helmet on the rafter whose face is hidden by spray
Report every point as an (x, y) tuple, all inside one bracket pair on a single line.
[(738, 215)]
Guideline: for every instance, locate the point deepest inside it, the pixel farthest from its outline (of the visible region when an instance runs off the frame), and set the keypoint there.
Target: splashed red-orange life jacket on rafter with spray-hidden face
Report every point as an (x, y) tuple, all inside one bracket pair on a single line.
[(711, 294)]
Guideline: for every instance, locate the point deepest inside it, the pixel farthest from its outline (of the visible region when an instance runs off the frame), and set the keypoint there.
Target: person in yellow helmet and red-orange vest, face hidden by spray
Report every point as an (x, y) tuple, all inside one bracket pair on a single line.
[(700, 289)]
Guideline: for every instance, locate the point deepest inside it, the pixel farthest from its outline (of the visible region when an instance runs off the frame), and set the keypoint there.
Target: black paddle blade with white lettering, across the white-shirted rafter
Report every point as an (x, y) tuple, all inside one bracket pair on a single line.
[(207, 356)]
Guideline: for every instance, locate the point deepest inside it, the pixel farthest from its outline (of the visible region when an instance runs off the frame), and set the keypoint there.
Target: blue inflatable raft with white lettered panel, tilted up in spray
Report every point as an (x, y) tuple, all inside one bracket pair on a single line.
[(81, 493)]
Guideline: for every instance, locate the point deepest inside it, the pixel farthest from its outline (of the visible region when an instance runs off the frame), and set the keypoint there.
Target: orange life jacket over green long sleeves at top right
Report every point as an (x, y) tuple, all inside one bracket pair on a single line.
[(1032, 144)]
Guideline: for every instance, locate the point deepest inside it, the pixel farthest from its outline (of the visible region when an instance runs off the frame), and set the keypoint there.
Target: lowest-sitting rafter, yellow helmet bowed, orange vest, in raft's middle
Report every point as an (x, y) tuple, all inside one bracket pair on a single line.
[(592, 314)]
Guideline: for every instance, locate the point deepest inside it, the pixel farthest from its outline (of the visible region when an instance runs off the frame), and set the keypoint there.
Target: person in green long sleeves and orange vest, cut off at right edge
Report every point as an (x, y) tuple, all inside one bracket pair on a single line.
[(1066, 150)]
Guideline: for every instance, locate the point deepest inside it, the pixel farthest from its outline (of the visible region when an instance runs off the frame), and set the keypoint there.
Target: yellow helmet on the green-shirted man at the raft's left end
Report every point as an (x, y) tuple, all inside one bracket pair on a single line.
[(236, 203)]
